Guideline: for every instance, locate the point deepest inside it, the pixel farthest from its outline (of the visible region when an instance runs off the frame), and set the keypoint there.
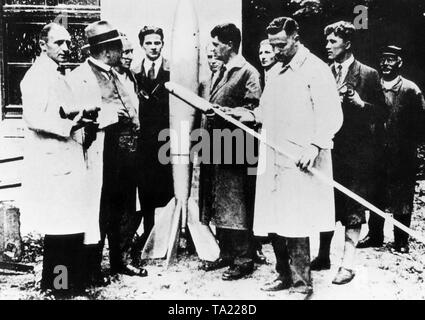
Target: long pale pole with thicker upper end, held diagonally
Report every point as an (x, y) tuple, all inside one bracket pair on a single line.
[(203, 105)]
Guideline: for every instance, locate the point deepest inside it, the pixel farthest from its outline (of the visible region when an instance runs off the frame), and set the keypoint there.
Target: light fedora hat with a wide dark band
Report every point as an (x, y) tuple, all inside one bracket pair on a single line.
[(100, 32)]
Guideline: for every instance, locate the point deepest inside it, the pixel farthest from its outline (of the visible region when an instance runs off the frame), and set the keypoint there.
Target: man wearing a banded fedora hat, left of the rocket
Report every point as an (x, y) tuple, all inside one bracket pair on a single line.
[(96, 83)]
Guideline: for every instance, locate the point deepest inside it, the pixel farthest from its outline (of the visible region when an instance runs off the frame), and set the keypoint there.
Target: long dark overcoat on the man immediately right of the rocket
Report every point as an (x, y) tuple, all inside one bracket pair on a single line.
[(227, 190)]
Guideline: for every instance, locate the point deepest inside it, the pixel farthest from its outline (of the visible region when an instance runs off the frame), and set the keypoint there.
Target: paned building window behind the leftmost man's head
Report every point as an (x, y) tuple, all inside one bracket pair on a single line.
[(21, 22)]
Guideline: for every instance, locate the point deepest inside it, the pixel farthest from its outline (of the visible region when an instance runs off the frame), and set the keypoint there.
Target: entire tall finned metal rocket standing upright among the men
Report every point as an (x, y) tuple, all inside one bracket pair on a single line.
[(182, 212)]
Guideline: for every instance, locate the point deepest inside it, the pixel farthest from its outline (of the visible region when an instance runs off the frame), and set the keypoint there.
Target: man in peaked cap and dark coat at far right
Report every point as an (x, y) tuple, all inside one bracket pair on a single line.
[(403, 132)]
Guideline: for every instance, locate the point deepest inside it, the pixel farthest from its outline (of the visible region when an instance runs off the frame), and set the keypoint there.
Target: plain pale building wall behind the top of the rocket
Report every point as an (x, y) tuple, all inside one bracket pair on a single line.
[(131, 15)]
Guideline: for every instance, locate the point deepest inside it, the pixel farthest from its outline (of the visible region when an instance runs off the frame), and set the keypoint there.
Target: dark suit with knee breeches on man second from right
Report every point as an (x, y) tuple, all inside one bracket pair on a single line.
[(359, 144)]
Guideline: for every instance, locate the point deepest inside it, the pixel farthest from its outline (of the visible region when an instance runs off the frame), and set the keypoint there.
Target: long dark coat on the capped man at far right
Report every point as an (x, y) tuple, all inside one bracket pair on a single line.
[(404, 130)]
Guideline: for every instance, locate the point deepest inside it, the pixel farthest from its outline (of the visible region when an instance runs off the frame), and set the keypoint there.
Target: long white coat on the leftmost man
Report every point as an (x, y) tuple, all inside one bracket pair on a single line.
[(61, 185)]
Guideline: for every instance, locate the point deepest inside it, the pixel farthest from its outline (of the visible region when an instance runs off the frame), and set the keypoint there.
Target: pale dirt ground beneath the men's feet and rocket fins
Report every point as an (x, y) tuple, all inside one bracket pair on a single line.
[(380, 274)]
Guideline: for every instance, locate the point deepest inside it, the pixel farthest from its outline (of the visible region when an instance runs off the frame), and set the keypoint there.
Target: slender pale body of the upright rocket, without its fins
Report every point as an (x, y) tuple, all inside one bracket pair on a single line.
[(184, 70)]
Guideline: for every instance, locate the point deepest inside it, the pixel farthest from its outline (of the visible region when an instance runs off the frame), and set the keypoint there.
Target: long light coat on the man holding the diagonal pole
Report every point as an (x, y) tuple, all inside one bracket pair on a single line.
[(300, 106)]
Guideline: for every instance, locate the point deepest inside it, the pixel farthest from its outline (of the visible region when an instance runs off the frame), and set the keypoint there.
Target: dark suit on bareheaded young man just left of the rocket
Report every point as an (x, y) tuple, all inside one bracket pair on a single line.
[(156, 182)]
